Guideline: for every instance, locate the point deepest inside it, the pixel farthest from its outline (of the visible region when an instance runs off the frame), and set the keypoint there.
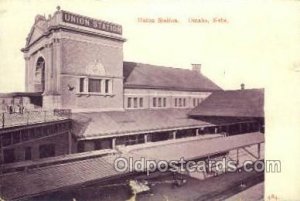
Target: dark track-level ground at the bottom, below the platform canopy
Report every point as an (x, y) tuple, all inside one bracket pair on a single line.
[(216, 188)]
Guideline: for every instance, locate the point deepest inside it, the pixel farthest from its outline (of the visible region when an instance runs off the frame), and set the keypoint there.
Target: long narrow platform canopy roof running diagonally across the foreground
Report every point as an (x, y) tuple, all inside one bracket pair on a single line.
[(77, 173)]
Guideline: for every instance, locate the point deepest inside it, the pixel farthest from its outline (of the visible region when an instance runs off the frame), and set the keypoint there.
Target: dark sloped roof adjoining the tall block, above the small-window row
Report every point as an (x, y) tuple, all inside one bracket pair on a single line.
[(146, 76)]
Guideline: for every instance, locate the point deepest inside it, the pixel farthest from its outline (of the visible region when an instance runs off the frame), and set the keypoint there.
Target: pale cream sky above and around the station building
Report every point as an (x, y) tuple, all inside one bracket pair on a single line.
[(257, 41)]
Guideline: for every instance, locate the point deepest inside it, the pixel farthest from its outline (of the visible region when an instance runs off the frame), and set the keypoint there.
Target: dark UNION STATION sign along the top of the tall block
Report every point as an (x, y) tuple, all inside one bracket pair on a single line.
[(91, 23)]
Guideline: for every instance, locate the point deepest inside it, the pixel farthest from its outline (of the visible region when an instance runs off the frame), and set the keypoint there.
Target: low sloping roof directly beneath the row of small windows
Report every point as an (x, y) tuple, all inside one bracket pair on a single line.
[(106, 124)]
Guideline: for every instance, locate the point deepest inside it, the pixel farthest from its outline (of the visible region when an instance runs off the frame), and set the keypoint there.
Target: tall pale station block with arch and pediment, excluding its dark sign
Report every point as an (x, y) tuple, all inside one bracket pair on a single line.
[(71, 52)]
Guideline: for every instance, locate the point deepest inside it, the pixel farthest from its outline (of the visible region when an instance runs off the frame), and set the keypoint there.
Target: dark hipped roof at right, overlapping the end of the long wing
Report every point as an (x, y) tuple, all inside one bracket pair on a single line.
[(232, 103)]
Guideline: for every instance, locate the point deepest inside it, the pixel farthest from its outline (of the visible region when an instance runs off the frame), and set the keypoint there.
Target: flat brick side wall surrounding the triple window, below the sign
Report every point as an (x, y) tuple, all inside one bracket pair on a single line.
[(77, 55)]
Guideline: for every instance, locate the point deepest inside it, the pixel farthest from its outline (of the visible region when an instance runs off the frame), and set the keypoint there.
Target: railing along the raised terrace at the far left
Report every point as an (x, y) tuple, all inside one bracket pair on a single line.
[(31, 117)]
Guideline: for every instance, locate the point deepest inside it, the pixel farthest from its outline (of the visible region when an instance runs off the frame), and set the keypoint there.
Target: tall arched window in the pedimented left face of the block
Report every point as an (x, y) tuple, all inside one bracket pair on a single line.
[(40, 75)]
